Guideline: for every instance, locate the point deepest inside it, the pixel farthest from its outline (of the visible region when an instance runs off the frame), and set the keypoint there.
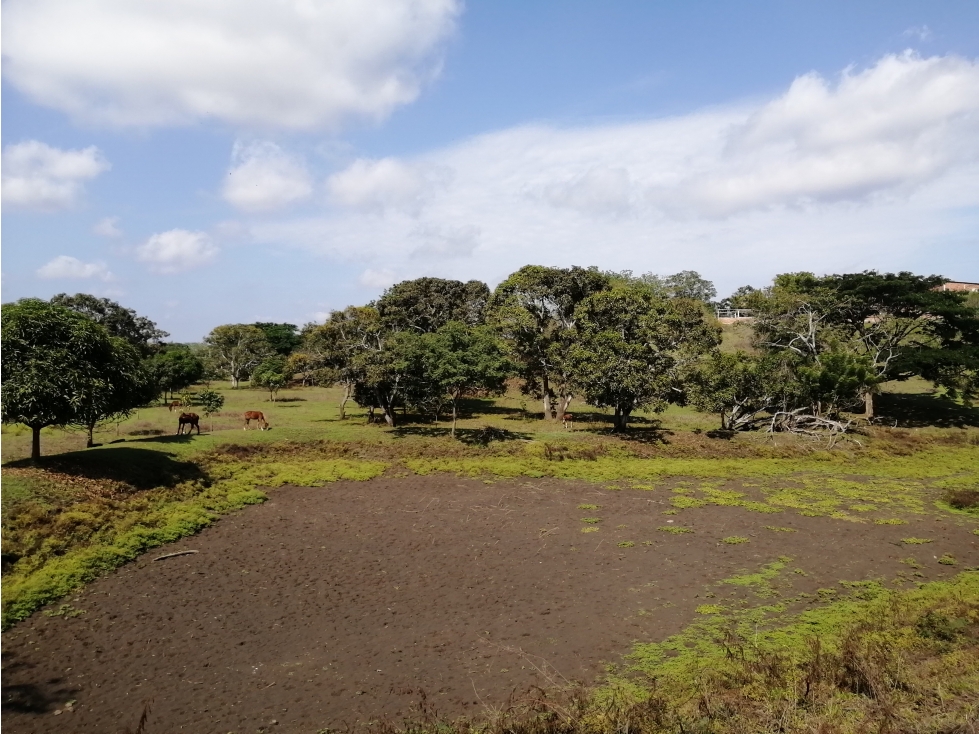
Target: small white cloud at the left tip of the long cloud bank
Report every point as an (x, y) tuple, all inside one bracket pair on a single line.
[(380, 185)]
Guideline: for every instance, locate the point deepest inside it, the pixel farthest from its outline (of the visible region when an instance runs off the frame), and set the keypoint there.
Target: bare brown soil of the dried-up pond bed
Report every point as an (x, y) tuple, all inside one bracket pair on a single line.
[(341, 604)]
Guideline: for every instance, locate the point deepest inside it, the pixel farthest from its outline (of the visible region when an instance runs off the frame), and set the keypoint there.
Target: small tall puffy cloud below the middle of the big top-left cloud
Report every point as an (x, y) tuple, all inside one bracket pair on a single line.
[(263, 177)]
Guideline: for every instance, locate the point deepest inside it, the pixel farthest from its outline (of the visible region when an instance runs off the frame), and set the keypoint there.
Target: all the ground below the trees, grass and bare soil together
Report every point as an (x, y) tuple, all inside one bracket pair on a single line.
[(349, 573)]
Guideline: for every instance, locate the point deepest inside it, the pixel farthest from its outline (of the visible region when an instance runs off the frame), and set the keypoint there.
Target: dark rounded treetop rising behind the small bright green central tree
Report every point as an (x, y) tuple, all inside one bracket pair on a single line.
[(426, 304)]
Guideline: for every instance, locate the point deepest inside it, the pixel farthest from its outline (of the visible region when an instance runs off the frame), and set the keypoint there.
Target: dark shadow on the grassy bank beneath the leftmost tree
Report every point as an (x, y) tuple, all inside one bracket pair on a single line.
[(139, 468)]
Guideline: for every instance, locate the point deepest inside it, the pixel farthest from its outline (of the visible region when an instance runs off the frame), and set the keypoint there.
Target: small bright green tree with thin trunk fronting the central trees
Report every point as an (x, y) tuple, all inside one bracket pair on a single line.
[(460, 360)]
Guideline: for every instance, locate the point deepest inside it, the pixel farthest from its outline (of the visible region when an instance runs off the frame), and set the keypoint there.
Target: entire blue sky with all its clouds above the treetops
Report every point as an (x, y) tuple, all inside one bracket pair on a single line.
[(209, 161)]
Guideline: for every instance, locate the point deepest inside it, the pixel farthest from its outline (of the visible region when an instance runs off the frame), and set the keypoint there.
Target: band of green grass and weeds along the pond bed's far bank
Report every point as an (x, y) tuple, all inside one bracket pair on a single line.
[(81, 513)]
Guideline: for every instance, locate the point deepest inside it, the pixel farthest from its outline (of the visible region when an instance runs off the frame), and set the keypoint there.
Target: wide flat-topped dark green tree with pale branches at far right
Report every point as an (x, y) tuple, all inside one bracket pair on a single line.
[(893, 326)]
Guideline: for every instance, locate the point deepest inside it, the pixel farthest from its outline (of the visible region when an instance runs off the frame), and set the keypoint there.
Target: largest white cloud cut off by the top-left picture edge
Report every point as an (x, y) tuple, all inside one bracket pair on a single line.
[(268, 63)]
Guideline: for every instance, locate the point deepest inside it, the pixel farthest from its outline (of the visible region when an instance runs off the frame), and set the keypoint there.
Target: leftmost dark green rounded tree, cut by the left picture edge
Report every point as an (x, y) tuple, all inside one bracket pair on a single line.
[(61, 368)]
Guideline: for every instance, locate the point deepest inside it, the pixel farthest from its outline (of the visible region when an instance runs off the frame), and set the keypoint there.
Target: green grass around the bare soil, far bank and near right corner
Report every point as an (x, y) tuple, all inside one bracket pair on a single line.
[(80, 513)]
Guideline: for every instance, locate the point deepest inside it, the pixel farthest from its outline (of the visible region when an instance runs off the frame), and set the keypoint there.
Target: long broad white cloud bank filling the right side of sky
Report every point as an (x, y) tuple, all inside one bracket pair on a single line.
[(861, 172)]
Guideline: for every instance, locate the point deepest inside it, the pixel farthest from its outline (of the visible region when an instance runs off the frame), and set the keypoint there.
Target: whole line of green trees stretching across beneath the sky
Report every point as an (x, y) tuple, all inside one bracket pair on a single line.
[(819, 345)]
